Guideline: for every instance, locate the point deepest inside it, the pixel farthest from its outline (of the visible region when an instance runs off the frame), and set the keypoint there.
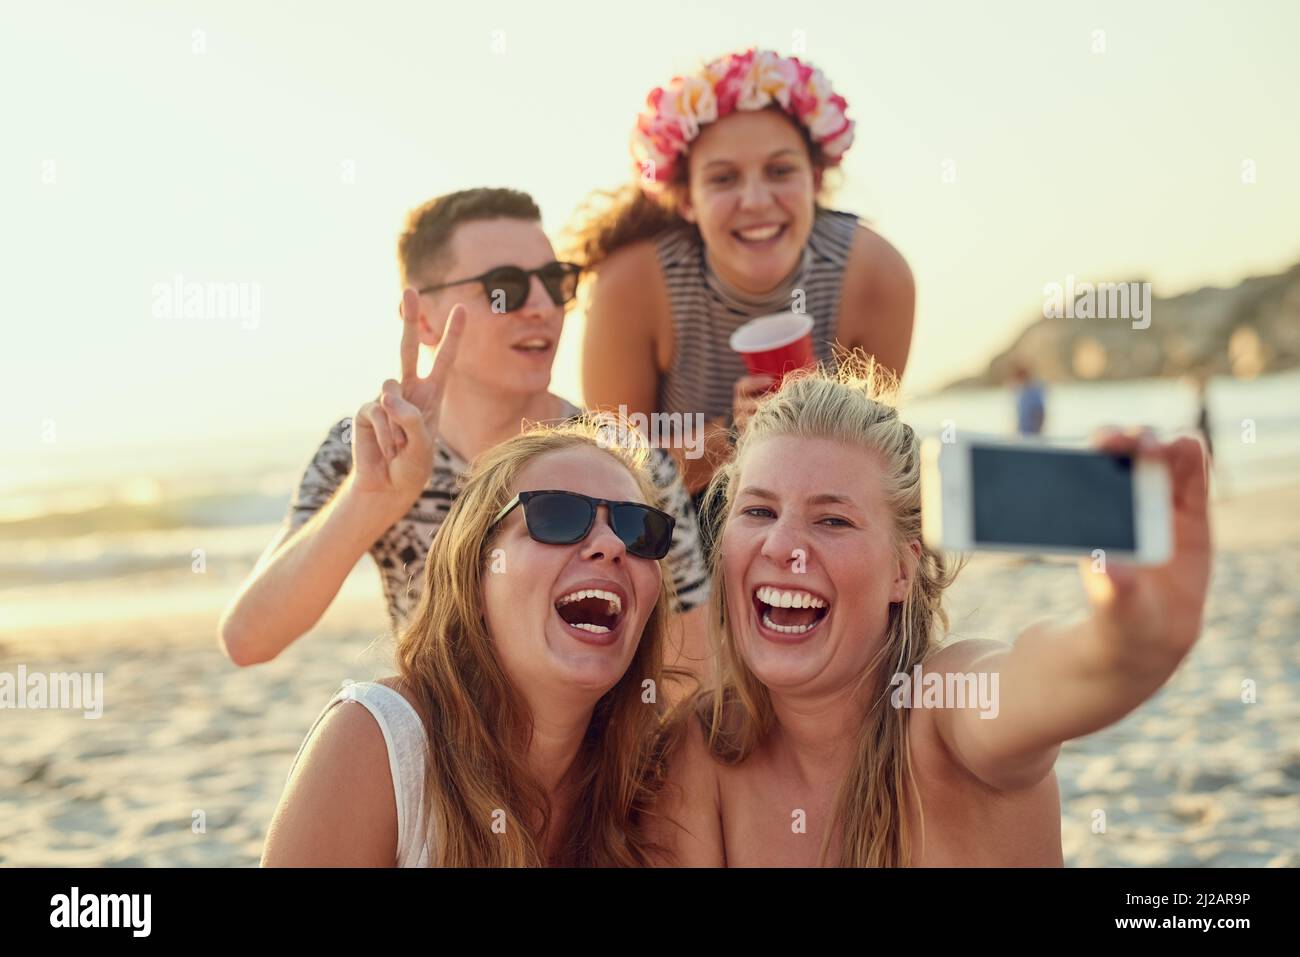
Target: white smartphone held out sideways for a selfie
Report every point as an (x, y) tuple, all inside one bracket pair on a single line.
[(1030, 496)]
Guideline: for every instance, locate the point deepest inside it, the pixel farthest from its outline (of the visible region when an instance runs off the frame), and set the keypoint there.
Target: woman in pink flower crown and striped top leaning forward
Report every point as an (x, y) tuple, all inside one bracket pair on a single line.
[(723, 224)]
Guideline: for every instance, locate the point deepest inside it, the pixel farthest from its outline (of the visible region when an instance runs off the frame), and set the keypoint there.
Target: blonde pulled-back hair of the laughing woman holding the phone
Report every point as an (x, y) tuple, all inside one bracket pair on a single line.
[(856, 406)]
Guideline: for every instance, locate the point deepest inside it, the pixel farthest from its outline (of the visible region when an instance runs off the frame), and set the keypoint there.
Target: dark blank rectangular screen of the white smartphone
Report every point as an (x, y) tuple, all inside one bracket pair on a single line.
[(1071, 500)]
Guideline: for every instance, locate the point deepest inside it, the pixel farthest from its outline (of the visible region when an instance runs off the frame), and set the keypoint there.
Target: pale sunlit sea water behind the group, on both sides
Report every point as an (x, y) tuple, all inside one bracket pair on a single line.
[(142, 514)]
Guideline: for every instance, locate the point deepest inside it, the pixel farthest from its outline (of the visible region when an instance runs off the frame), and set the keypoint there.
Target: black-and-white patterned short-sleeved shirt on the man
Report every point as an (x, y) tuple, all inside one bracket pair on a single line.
[(401, 552)]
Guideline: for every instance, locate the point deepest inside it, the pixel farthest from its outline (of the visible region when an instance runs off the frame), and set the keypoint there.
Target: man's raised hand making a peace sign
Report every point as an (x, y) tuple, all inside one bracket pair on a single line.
[(395, 436)]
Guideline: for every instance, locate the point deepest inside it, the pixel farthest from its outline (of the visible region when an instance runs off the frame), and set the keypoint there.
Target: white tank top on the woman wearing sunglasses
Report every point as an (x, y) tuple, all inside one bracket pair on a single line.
[(408, 743)]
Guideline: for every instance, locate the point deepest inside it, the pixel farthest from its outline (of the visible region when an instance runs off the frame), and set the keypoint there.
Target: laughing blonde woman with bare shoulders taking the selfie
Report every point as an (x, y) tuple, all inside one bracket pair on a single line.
[(804, 757)]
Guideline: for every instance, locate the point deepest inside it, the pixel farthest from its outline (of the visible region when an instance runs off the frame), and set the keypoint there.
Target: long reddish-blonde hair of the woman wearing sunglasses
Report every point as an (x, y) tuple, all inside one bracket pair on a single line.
[(479, 728)]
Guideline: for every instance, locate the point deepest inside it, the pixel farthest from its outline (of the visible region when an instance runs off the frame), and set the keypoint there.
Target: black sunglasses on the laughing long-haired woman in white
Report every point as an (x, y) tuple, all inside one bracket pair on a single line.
[(564, 518)]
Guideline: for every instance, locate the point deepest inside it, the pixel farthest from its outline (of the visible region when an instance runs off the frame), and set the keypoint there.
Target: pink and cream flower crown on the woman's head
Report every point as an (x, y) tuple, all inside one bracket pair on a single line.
[(753, 80)]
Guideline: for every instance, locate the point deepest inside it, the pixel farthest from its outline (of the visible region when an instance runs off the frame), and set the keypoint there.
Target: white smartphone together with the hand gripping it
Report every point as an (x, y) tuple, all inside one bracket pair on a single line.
[(1137, 505)]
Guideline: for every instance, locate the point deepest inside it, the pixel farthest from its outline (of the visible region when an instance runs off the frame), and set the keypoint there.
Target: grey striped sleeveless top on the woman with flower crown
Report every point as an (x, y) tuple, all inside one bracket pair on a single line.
[(707, 311)]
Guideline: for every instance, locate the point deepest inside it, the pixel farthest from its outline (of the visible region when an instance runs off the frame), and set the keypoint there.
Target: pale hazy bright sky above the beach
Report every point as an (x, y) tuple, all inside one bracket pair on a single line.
[(1000, 148)]
